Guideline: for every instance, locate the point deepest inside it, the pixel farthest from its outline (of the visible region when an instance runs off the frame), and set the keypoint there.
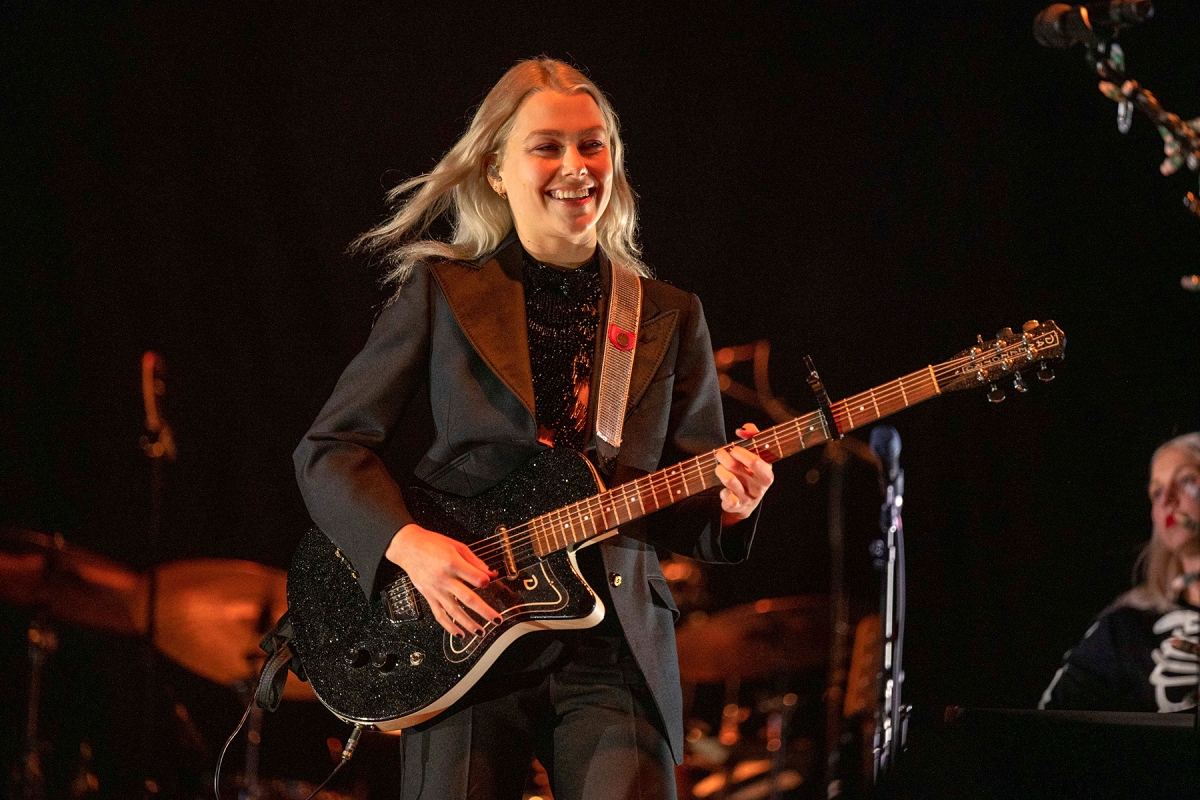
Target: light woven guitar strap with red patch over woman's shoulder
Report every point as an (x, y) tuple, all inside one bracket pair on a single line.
[(617, 363)]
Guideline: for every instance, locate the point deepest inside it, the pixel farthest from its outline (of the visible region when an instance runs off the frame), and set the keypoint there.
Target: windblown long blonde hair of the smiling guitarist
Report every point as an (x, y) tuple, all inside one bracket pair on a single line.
[(458, 187)]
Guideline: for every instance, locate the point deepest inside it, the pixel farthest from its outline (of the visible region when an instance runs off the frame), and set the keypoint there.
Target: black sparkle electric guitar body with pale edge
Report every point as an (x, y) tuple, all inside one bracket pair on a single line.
[(388, 663)]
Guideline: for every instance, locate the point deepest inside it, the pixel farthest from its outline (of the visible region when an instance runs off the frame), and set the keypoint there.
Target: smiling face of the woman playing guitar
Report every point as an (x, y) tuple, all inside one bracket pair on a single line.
[(556, 170)]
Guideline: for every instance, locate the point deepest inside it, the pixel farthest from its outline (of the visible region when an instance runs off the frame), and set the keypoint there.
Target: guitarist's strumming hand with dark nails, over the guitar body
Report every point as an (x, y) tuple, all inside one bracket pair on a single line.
[(445, 572)]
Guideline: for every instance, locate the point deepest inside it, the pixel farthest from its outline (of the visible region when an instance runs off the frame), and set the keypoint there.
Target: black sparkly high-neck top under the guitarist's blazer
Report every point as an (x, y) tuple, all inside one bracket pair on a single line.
[(562, 315)]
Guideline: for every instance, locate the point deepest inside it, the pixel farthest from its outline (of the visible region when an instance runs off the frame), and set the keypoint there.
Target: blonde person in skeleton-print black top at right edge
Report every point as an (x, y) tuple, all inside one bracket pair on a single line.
[(1141, 654)]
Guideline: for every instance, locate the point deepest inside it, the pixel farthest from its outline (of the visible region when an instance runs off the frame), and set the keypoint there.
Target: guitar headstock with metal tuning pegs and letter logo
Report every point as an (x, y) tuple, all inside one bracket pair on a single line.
[(1007, 356)]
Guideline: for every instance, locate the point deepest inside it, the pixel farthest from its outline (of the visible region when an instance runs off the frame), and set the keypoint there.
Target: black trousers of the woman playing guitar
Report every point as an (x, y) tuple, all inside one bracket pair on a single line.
[(597, 741)]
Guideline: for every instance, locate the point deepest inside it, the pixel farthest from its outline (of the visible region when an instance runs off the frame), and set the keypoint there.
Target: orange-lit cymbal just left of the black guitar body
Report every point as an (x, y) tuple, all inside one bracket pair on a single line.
[(212, 615)]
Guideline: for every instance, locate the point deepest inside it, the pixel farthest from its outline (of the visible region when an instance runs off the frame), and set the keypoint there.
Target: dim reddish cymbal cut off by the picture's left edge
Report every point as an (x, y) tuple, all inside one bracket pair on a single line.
[(70, 582)]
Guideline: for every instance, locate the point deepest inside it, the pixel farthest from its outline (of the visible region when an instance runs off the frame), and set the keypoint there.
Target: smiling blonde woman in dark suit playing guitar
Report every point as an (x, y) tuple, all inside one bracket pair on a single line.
[(502, 329)]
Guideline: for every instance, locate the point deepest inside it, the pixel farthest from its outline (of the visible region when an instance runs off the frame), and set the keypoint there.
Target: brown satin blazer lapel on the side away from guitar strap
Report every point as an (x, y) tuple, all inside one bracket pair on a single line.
[(489, 304)]
